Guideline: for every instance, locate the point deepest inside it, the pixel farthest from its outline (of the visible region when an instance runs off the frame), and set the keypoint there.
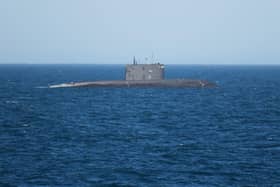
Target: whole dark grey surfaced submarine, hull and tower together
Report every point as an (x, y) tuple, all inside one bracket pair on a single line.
[(142, 75)]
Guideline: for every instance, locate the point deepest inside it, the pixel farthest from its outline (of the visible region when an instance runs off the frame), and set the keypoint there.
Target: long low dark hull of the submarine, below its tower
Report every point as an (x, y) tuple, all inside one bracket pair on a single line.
[(175, 83)]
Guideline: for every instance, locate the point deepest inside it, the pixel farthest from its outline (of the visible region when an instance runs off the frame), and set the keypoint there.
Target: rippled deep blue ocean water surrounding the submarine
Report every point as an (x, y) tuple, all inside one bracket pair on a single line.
[(224, 136)]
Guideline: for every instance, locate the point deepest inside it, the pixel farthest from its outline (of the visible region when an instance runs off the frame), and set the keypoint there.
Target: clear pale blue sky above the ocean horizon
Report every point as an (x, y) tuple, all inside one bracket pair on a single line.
[(113, 31)]
